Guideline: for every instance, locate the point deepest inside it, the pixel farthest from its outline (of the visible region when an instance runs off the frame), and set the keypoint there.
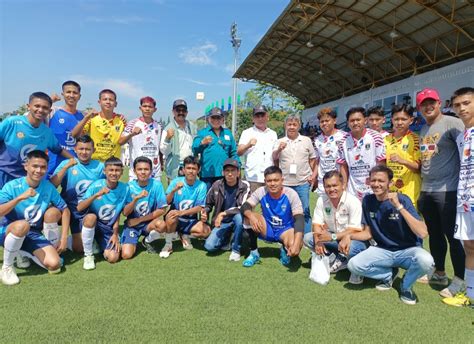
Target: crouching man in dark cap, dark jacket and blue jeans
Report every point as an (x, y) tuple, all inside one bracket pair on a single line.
[(225, 197)]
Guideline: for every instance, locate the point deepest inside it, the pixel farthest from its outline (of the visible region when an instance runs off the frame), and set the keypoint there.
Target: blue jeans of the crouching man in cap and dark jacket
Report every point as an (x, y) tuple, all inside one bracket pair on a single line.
[(219, 235)]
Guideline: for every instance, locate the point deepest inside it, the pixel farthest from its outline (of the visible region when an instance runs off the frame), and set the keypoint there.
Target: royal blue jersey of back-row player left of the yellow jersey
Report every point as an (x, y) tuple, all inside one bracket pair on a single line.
[(61, 125)]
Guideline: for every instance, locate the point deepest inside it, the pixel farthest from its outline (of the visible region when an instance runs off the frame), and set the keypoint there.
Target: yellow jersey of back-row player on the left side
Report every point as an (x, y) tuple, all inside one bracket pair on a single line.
[(106, 134)]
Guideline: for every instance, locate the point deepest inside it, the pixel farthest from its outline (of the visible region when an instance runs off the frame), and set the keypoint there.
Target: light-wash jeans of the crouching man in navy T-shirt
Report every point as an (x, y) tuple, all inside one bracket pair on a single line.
[(377, 263)]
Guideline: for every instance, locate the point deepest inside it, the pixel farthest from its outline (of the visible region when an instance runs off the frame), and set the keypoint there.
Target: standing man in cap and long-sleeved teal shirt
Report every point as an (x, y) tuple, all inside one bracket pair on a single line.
[(215, 144)]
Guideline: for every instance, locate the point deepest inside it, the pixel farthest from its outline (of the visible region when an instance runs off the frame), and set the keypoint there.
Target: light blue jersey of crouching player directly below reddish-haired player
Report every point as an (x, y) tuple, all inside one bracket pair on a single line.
[(156, 199)]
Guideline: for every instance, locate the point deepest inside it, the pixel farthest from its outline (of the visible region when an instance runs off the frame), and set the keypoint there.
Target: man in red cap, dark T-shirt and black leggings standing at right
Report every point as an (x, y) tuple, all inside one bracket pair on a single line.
[(437, 201)]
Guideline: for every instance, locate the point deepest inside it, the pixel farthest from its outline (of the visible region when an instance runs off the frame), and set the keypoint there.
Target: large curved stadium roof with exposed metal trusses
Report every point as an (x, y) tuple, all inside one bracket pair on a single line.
[(320, 51)]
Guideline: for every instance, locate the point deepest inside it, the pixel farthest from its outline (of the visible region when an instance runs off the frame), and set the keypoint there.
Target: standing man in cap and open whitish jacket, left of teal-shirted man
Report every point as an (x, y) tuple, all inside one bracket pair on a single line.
[(177, 139)]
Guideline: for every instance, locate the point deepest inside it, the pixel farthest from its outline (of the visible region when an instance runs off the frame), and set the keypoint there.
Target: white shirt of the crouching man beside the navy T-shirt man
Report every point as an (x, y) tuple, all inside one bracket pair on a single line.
[(347, 214)]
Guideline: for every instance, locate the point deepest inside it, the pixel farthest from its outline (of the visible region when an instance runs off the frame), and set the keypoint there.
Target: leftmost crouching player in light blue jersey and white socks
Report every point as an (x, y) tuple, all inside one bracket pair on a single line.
[(25, 203)]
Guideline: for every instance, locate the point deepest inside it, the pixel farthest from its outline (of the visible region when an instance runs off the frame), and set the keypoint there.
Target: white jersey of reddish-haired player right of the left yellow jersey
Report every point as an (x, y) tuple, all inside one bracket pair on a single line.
[(146, 144)]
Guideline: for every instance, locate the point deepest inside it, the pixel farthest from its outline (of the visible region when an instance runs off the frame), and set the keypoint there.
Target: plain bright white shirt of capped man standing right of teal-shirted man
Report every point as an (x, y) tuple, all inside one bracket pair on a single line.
[(258, 157)]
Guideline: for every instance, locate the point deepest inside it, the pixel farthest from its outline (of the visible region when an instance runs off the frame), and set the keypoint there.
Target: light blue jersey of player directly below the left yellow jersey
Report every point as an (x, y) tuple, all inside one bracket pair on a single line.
[(76, 181)]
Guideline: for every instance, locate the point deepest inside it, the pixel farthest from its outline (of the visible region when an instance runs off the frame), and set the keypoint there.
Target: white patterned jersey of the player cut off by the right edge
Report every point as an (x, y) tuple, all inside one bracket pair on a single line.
[(465, 195)]
